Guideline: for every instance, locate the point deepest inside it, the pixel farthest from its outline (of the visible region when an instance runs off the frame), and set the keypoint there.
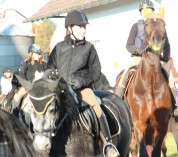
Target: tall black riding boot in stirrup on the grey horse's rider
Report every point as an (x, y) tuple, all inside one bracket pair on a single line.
[(109, 150)]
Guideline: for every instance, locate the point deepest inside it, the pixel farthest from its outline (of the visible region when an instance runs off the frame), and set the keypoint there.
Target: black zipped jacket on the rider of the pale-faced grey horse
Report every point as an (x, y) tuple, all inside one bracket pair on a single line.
[(77, 60)]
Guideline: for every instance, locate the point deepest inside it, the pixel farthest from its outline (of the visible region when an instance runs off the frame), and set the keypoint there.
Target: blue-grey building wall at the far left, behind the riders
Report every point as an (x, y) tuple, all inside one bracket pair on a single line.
[(13, 50)]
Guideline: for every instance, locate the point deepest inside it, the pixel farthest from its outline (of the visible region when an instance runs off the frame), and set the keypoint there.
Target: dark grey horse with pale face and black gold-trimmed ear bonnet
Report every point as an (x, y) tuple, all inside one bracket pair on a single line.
[(64, 125)]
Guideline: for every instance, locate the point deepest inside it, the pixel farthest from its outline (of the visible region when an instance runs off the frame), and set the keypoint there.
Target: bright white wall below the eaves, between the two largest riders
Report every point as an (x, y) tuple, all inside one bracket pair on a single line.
[(112, 31)]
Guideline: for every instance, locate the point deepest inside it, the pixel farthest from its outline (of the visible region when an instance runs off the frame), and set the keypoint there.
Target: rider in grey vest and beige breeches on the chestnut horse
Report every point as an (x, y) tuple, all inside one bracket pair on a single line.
[(135, 45)]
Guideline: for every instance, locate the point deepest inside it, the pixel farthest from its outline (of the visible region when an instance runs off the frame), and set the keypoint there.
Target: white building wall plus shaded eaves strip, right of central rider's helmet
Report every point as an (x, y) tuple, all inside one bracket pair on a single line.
[(110, 26)]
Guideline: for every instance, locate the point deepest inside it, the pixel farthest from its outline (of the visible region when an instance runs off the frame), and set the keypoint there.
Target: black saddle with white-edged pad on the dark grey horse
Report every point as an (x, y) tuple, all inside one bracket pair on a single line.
[(89, 119)]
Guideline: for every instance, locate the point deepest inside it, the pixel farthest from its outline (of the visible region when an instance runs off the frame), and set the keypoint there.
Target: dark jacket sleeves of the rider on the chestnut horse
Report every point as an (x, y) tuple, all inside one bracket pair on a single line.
[(136, 51)]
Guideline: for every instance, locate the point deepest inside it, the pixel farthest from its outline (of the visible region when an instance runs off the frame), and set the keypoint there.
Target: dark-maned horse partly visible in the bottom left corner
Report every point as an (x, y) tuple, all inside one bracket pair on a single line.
[(14, 138)]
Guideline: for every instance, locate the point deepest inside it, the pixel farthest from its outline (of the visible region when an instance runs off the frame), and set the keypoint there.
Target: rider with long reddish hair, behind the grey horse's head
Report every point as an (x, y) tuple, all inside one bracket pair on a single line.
[(32, 67)]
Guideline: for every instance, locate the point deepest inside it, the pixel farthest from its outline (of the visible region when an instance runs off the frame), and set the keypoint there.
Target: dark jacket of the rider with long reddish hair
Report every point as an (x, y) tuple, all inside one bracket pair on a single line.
[(27, 70)]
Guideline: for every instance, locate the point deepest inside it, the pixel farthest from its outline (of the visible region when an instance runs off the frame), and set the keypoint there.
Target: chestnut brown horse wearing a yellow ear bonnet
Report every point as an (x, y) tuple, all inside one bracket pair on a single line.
[(148, 94)]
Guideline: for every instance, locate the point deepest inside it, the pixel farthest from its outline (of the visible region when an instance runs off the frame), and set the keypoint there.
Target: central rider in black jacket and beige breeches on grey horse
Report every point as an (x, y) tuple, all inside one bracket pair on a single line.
[(77, 61)]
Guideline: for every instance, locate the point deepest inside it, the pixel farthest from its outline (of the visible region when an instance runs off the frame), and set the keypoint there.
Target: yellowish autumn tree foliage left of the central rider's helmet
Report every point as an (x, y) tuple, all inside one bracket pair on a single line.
[(44, 31)]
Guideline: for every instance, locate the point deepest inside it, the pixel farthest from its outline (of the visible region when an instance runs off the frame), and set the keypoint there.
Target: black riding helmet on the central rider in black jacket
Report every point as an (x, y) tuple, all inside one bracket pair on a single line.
[(76, 17)]
